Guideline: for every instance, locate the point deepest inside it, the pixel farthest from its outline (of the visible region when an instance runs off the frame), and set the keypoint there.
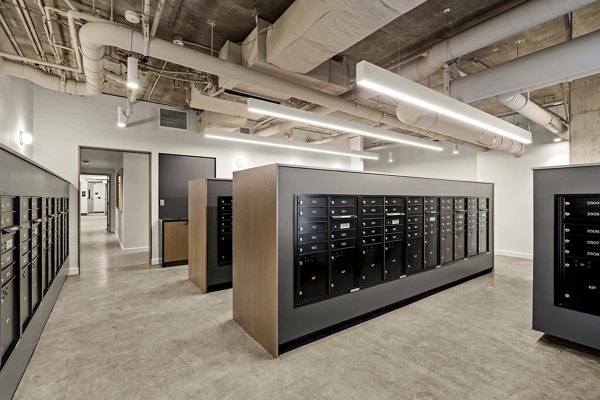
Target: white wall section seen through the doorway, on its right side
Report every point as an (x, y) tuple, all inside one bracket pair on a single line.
[(136, 186)]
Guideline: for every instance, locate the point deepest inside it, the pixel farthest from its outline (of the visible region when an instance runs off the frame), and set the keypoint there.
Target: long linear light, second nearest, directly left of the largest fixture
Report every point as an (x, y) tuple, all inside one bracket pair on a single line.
[(325, 121)]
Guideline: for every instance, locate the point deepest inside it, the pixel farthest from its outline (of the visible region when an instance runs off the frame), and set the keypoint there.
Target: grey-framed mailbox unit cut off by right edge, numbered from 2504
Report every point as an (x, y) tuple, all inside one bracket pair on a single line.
[(566, 267)]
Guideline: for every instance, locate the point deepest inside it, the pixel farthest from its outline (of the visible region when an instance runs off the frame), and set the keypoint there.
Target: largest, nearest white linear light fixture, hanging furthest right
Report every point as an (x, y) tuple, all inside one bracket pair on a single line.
[(391, 84)]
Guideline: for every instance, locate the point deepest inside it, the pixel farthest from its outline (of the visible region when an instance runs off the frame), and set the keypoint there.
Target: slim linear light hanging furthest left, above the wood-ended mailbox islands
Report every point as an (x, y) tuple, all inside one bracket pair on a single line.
[(286, 144)]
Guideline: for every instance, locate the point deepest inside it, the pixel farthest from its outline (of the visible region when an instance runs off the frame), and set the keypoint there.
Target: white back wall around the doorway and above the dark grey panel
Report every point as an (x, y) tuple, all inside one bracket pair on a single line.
[(62, 123)]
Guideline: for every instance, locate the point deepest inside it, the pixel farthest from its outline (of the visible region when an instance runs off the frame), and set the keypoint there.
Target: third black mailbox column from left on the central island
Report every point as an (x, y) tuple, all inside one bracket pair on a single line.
[(371, 249)]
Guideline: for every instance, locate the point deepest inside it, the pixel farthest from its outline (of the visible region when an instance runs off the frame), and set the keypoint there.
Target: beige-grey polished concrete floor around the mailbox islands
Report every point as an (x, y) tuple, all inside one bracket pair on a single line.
[(127, 330)]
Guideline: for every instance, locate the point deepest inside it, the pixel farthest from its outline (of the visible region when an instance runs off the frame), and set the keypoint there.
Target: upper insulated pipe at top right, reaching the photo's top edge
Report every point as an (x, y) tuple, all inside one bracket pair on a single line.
[(518, 19)]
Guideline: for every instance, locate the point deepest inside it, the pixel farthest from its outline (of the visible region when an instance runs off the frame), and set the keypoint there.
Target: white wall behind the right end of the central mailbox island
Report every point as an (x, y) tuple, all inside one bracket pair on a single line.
[(512, 178)]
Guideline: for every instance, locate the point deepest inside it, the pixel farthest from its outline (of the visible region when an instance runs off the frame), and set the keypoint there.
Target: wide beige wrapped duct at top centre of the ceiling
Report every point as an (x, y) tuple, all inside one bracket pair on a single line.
[(312, 31)]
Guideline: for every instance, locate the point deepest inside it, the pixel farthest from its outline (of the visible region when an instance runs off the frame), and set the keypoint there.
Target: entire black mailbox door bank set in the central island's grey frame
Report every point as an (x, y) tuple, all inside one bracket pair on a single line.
[(345, 243)]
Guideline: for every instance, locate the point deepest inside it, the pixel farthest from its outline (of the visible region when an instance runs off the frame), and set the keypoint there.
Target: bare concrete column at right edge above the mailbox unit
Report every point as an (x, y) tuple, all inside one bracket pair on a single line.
[(585, 120)]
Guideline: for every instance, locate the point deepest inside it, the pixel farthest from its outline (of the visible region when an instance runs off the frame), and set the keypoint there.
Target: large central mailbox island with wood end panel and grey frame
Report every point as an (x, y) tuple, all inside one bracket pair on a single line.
[(347, 245)]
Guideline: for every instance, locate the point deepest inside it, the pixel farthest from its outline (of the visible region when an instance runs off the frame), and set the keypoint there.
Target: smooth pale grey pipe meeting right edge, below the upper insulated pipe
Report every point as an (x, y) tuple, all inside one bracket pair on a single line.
[(564, 62)]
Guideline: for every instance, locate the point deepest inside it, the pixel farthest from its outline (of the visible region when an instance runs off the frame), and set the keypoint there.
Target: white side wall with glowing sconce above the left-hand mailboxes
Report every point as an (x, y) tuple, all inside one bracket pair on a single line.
[(16, 112)]
